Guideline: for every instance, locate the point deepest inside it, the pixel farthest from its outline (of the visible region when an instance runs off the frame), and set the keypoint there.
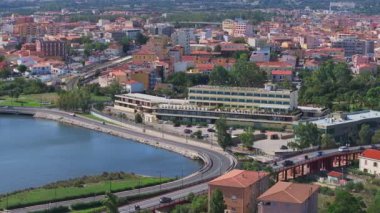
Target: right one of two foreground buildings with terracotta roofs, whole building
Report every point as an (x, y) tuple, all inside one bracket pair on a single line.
[(289, 197)]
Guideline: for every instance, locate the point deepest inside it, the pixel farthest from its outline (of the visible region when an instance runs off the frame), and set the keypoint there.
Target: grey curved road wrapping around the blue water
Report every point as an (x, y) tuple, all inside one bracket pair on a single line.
[(217, 162)]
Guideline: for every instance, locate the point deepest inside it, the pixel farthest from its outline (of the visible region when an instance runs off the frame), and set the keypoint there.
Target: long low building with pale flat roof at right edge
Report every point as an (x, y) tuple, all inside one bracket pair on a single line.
[(342, 125)]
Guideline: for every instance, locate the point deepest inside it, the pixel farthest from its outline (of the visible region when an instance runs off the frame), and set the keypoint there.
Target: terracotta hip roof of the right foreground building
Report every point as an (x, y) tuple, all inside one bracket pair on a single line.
[(288, 192)]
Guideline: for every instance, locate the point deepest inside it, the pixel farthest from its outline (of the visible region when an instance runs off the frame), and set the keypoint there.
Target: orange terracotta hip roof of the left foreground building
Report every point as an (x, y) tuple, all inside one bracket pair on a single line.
[(238, 178)]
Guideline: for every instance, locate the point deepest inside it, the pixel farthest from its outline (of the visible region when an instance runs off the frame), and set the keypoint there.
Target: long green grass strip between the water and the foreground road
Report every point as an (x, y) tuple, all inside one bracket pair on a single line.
[(40, 195)]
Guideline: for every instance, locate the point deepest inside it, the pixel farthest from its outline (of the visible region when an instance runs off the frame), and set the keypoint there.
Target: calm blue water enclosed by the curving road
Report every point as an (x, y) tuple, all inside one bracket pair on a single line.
[(35, 152)]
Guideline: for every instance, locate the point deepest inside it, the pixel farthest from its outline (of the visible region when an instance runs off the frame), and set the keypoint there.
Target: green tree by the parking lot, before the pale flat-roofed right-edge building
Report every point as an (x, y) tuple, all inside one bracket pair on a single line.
[(306, 135)]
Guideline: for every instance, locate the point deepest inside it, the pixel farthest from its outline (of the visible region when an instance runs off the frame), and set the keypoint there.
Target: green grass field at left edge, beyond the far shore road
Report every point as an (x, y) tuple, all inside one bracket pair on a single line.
[(33, 100)]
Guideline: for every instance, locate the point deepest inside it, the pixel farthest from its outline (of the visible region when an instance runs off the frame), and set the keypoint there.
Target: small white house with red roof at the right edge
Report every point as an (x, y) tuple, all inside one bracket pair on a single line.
[(369, 161)]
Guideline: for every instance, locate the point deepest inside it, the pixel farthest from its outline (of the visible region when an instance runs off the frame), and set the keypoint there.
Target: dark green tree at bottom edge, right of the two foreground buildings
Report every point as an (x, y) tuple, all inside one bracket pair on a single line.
[(346, 203)]
